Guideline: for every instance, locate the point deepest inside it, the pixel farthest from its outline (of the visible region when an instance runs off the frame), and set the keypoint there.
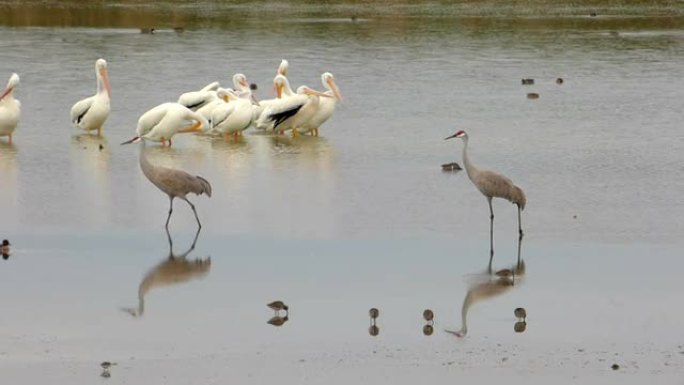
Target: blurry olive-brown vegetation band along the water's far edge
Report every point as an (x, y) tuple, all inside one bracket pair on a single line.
[(472, 14)]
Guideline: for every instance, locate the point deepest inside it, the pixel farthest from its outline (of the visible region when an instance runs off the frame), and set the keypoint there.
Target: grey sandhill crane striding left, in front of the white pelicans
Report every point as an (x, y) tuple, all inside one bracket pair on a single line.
[(175, 183)]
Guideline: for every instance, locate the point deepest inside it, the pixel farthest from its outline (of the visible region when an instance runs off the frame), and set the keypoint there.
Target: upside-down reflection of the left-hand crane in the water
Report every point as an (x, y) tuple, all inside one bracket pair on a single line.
[(173, 270)]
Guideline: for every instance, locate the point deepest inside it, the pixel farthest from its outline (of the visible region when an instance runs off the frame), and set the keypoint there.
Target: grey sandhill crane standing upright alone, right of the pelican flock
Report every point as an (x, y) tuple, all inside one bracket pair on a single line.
[(492, 185)]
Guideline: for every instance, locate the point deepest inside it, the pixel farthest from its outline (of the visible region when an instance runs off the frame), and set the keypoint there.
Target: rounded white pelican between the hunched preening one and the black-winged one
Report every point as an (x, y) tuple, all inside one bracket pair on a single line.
[(232, 117)]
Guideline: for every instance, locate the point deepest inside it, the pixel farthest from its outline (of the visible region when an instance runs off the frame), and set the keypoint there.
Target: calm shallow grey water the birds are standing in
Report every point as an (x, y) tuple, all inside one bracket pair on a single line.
[(361, 216)]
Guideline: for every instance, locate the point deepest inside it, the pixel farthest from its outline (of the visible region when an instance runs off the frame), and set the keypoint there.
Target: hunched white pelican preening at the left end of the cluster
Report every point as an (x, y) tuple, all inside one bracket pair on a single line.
[(164, 121)]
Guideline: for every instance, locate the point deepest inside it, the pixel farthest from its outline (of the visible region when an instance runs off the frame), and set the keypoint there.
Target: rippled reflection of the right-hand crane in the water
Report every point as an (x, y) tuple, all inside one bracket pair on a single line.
[(488, 285)]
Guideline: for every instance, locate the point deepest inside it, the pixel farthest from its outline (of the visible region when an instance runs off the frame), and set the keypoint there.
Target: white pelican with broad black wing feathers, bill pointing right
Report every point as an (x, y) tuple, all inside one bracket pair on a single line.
[(290, 112)]
